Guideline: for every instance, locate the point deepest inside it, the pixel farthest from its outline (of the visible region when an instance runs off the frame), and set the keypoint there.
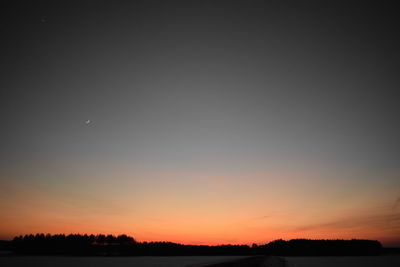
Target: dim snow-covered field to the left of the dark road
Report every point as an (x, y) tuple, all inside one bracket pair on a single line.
[(48, 261)]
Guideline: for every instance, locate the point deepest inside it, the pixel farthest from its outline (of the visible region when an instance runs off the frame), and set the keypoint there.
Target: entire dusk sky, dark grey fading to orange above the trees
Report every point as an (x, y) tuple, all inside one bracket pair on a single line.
[(201, 122)]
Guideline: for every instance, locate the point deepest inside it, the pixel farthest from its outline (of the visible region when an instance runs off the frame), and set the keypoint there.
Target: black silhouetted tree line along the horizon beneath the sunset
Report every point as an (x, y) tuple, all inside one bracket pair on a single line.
[(123, 245)]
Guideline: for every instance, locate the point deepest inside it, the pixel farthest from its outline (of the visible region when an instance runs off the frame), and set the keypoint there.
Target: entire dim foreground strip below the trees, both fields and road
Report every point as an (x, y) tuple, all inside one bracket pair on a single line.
[(201, 261)]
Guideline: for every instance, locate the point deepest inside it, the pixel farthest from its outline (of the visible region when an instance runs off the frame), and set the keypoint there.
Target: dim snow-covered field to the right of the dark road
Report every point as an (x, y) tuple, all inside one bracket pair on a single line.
[(368, 261)]
